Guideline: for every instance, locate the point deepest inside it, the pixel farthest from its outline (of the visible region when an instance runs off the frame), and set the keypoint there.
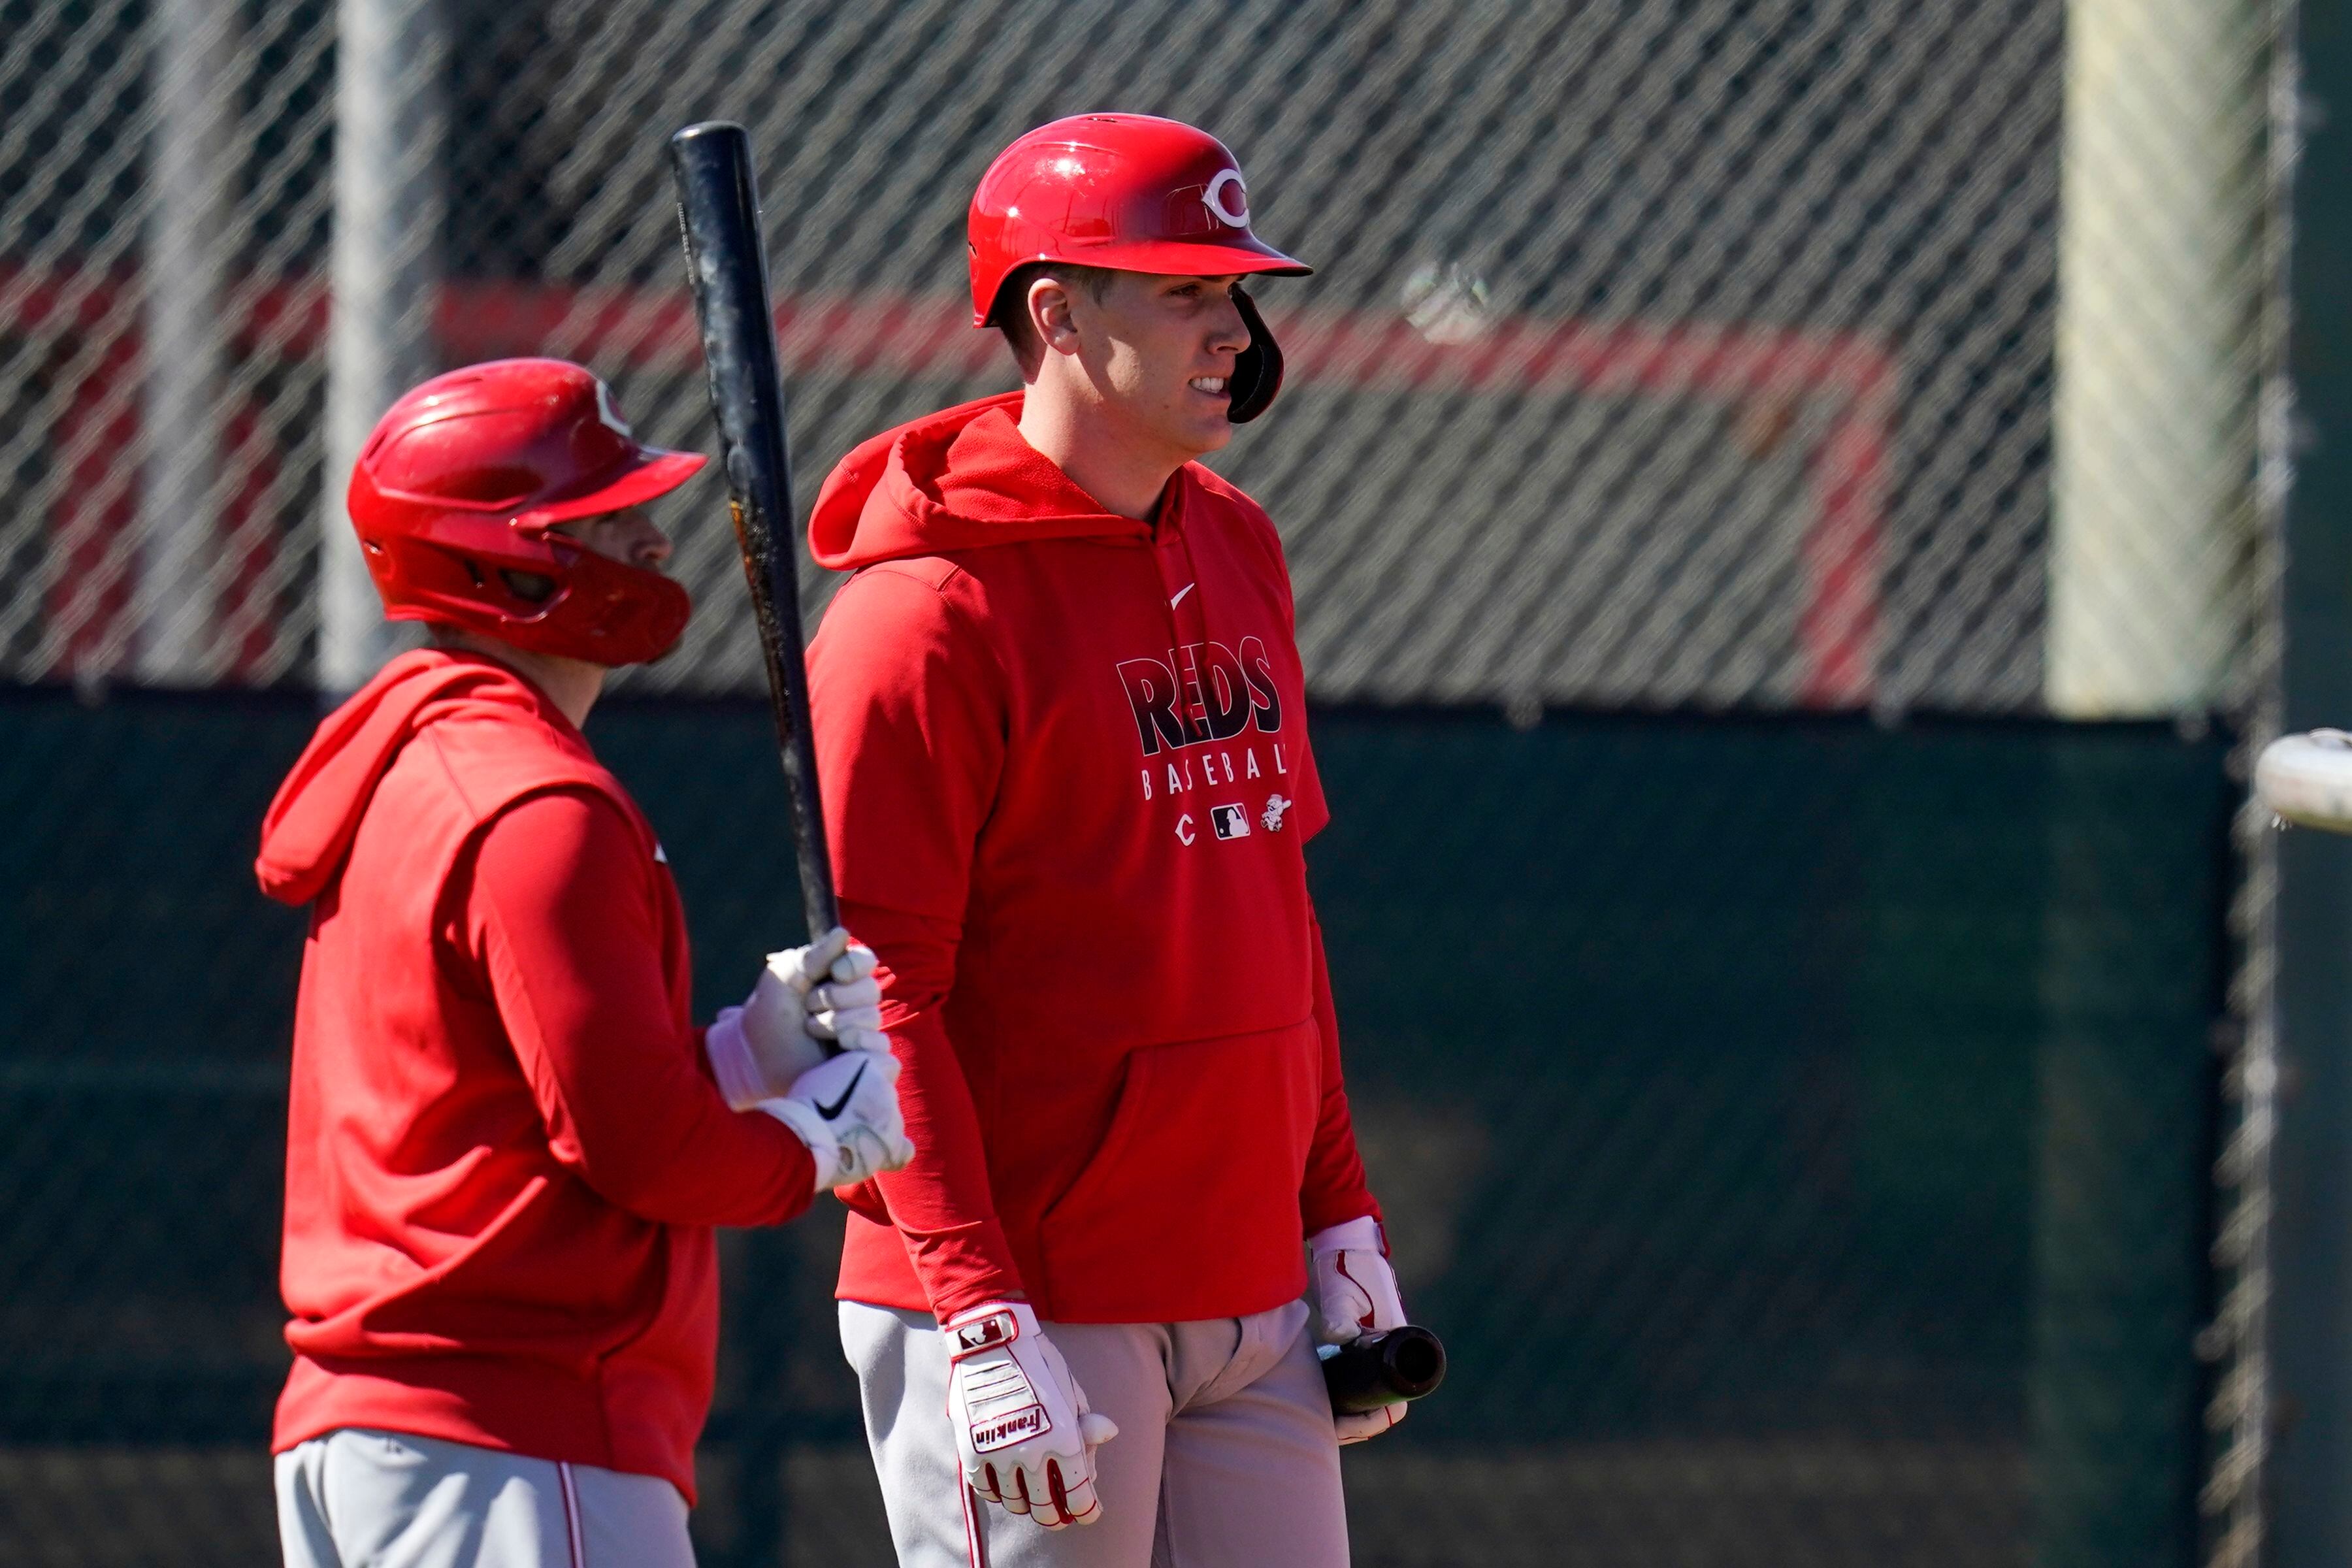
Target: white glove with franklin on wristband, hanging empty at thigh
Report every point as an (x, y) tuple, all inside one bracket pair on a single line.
[(1020, 1416)]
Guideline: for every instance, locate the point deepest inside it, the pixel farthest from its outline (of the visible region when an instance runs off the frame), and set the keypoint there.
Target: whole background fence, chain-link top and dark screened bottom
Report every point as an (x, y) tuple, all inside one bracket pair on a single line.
[(1784, 502)]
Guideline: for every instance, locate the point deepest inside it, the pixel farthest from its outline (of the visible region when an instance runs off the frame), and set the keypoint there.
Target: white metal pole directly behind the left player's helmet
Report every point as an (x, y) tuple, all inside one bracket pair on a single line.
[(380, 337)]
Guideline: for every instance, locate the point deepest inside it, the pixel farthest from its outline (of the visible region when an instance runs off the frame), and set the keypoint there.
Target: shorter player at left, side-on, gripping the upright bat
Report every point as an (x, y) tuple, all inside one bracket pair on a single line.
[(509, 1144)]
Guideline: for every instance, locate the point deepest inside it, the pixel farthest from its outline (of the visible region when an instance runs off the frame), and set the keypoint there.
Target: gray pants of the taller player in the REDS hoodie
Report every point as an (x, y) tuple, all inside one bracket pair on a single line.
[(1224, 1456)]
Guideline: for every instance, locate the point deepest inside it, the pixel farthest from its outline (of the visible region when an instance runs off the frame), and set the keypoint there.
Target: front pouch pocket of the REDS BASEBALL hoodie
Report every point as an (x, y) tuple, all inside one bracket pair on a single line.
[(1191, 1207)]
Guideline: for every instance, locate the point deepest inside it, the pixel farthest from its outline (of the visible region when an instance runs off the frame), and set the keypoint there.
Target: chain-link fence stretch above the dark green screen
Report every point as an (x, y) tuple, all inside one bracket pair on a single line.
[(1662, 354)]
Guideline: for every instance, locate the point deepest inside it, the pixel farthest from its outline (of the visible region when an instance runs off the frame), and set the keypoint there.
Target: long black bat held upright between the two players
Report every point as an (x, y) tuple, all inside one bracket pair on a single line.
[(719, 213)]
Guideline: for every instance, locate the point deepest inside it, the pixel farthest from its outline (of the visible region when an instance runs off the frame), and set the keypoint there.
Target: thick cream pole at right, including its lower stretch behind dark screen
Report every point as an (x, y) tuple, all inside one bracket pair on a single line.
[(2151, 596)]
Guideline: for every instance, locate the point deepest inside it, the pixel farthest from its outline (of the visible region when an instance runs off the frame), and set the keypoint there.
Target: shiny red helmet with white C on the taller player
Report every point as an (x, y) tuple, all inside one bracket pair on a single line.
[(1132, 194)]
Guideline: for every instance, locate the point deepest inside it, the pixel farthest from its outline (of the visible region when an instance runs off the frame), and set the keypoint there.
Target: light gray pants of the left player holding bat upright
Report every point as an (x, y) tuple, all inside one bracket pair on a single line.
[(363, 1499)]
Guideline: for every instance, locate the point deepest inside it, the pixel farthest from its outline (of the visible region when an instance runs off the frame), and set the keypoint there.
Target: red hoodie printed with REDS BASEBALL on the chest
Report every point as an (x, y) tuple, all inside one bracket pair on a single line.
[(1071, 789)]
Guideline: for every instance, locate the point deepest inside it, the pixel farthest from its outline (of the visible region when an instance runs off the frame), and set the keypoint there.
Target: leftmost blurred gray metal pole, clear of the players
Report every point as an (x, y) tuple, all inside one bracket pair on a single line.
[(187, 344)]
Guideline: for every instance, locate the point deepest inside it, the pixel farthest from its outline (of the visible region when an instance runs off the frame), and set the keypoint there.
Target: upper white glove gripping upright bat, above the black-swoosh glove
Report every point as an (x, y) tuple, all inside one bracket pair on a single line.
[(808, 1000)]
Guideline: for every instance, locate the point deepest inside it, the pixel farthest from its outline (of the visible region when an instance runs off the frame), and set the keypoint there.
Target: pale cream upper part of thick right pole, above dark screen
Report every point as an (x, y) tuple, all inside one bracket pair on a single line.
[(2160, 279)]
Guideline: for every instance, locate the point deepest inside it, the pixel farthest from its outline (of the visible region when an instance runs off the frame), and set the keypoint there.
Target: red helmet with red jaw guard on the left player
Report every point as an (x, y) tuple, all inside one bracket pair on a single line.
[(460, 483)]
